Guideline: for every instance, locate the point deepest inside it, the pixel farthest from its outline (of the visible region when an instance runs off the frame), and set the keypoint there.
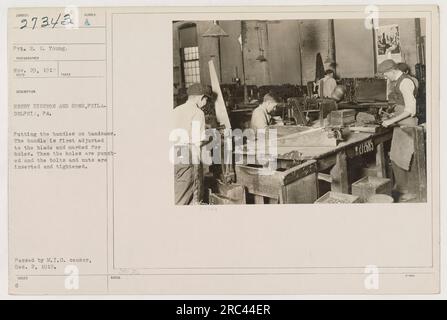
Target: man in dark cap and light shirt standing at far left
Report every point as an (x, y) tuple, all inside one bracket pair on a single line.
[(189, 116)]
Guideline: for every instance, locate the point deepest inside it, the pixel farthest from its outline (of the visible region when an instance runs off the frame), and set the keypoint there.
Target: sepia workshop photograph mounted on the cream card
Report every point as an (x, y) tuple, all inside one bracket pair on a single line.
[(347, 101)]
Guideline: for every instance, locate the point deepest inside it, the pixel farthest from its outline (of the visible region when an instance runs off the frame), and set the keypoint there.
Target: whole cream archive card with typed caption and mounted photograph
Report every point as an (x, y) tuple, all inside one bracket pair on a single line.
[(250, 150)]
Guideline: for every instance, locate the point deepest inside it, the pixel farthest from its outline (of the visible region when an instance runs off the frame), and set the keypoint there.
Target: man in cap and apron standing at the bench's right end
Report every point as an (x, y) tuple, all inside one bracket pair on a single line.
[(404, 117)]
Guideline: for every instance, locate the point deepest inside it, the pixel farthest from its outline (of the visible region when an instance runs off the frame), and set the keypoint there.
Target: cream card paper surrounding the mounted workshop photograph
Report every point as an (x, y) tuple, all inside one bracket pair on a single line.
[(91, 207)]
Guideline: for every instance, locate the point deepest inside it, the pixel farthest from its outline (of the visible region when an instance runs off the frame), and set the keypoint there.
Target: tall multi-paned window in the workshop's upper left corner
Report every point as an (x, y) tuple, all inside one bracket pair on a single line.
[(189, 53)]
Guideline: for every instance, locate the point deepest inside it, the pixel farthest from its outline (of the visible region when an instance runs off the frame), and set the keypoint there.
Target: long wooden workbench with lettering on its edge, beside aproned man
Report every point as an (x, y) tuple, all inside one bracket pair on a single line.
[(356, 144)]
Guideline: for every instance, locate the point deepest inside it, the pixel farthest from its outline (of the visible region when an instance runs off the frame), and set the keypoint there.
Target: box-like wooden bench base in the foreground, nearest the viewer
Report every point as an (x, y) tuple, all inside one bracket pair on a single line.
[(297, 184)]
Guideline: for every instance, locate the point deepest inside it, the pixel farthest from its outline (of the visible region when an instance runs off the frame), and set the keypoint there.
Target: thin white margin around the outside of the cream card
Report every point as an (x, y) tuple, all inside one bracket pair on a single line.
[(5, 4)]
